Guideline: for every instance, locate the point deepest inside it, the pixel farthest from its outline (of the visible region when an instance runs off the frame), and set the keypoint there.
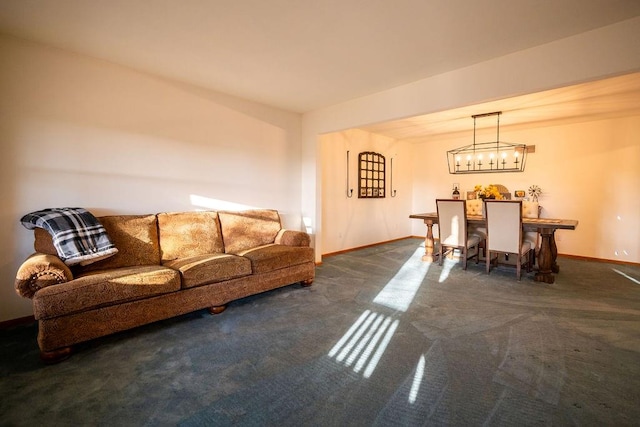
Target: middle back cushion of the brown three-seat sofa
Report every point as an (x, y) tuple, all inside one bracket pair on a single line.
[(188, 234)]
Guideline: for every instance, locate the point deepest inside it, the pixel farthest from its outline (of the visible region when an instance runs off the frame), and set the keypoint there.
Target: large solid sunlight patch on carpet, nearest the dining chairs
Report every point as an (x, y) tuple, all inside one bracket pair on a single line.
[(399, 292)]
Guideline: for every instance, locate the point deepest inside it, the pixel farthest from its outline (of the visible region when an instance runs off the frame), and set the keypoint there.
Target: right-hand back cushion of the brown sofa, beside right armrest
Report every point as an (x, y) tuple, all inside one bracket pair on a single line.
[(248, 229)]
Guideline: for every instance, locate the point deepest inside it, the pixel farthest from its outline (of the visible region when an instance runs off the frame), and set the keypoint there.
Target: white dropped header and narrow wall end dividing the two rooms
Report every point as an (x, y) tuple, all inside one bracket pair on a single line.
[(589, 56)]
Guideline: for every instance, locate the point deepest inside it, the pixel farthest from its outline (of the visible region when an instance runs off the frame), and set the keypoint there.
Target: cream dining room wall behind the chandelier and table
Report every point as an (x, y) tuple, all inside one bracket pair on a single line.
[(588, 171)]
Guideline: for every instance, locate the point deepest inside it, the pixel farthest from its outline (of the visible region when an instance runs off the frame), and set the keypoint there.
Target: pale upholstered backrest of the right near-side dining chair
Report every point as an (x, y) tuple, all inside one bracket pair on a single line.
[(504, 225)]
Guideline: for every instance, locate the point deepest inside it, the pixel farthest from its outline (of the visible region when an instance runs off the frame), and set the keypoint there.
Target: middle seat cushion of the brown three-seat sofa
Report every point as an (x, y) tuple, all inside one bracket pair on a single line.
[(205, 269)]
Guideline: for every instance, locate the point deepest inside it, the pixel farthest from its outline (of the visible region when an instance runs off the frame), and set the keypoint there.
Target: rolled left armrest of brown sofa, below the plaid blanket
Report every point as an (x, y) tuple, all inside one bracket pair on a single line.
[(39, 271)]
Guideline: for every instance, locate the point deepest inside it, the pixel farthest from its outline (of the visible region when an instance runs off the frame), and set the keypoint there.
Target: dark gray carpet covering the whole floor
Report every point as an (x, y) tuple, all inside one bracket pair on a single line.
[(381, 338)]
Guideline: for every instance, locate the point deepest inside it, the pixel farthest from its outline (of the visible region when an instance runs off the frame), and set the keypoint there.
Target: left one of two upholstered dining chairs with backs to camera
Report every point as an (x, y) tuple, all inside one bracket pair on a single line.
[(452, 226)]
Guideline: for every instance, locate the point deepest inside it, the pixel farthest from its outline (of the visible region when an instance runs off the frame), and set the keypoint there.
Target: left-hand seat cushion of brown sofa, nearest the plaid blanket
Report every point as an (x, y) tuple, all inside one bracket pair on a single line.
[(104, 288)]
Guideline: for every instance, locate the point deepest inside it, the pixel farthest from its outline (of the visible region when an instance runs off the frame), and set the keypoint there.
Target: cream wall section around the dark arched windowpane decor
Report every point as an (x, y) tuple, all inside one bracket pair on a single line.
[(350, 222)]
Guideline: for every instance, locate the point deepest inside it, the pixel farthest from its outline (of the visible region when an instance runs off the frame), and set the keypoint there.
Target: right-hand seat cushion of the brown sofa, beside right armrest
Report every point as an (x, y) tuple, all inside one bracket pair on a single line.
[(274, 257)]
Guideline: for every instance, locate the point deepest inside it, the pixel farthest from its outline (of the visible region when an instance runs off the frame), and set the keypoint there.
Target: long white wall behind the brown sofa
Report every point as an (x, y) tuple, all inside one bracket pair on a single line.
[(76, 131)]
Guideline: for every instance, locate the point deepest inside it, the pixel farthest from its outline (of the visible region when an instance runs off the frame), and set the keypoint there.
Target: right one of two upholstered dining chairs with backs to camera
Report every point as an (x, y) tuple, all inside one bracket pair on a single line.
[(505, 234)]
